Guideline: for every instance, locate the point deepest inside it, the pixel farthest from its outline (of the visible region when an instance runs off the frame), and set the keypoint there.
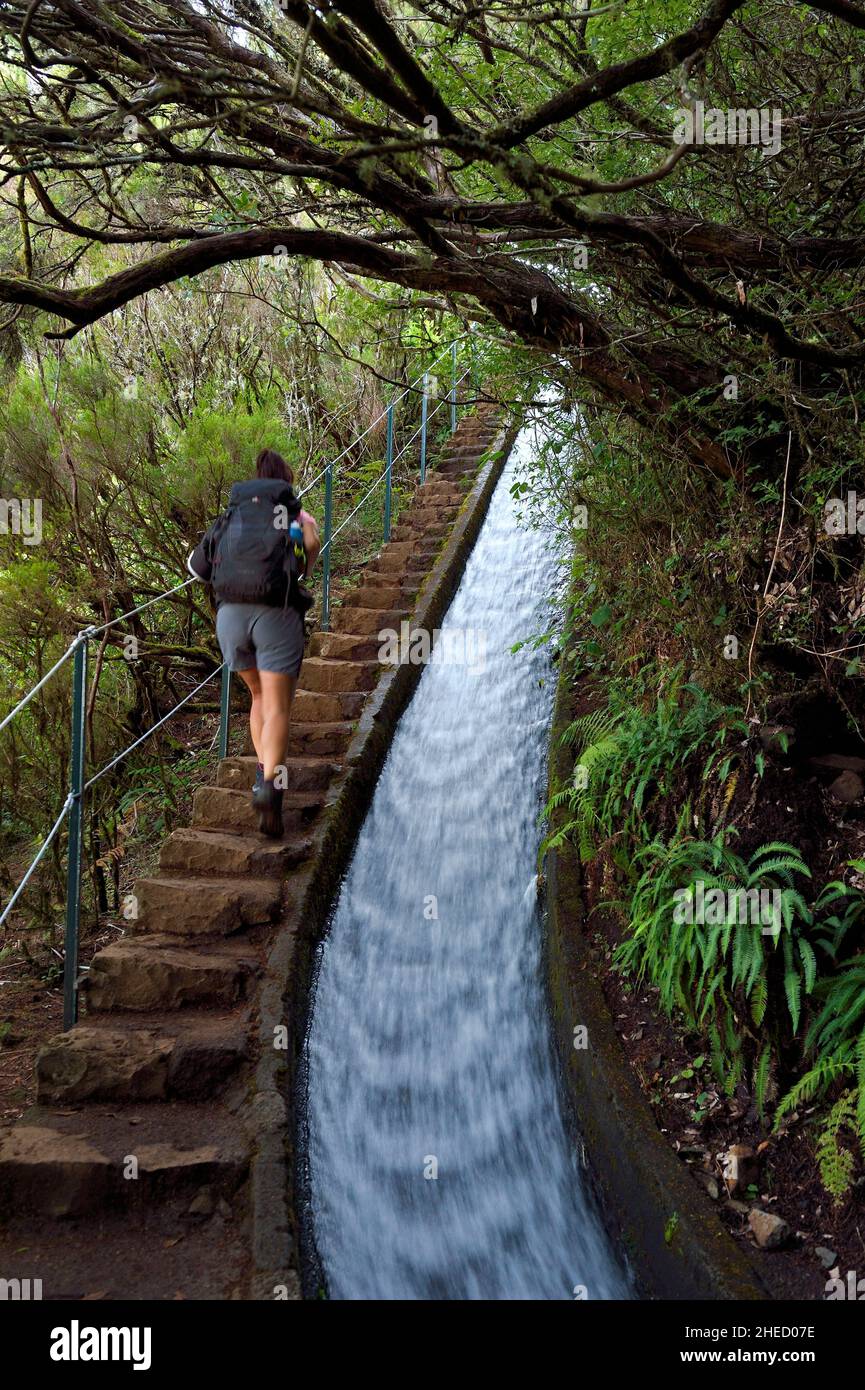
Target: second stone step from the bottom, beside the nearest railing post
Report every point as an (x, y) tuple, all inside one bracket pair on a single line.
[(99, 1061)]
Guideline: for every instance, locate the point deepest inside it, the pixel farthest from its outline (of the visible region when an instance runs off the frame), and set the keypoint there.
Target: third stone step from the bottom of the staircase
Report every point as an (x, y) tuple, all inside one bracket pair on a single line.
[(154, 974)]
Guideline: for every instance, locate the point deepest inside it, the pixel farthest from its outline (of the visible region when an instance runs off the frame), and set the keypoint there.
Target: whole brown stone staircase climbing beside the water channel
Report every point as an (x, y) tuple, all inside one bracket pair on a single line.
[(140, 1145)]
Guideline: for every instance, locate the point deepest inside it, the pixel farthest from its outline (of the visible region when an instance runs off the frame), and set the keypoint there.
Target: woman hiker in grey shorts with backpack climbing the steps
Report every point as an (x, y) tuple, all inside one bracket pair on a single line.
[(255, 557)]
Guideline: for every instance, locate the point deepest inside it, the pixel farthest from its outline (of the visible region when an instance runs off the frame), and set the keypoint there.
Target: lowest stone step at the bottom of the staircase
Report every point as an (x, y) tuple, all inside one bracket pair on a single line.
[(63, 1166)]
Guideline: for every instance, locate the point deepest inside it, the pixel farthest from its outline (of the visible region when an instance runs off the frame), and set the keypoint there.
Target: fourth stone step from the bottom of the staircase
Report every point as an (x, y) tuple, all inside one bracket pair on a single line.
[(212, 907)]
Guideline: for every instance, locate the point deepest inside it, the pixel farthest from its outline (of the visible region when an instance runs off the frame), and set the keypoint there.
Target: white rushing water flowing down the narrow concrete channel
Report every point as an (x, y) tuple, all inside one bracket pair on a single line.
[(440, 1160)]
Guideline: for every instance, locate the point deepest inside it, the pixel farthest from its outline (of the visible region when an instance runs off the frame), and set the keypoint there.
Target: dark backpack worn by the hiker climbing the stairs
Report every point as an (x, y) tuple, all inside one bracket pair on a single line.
[(250, 547)]
